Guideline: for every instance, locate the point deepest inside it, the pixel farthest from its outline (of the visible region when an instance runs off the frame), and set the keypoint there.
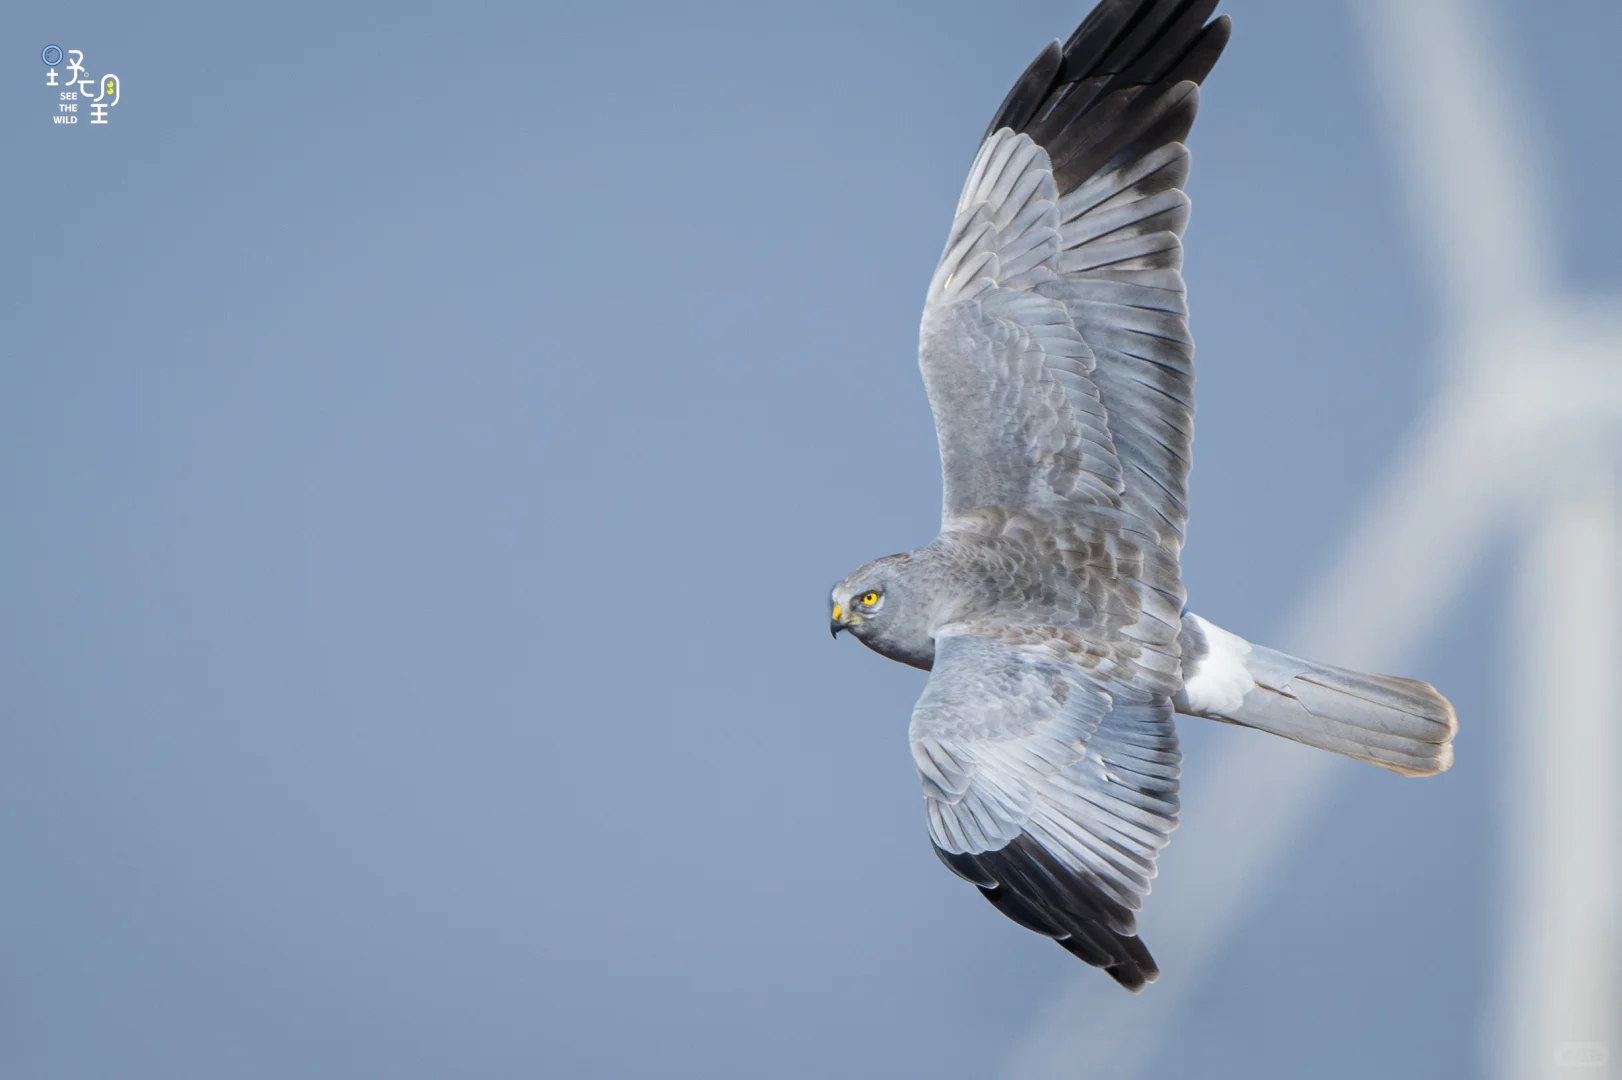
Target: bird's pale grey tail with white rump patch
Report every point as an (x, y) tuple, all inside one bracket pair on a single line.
[(1397, 724)]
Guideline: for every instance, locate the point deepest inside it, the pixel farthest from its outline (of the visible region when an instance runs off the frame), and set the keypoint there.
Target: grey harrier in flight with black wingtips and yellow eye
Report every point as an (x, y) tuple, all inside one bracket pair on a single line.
[(1050, 612)]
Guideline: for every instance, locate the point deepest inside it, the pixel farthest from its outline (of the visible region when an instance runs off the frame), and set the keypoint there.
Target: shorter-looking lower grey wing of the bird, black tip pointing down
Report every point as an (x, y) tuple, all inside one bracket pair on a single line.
[(1049, 791)]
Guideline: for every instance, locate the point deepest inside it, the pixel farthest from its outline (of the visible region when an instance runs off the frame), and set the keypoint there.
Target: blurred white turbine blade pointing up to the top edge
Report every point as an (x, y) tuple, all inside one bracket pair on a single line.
[(1467, 153)]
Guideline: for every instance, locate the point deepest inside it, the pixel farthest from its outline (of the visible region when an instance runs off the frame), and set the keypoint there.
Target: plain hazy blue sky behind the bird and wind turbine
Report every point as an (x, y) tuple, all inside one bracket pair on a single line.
[(427, 442)]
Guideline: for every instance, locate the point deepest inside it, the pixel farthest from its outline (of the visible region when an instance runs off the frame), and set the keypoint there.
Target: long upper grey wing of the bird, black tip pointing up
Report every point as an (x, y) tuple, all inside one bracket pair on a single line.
[(1076, 207)]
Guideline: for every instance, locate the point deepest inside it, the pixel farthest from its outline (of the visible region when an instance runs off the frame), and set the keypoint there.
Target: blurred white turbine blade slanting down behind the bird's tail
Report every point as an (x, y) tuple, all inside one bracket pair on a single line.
[(1242, 813)]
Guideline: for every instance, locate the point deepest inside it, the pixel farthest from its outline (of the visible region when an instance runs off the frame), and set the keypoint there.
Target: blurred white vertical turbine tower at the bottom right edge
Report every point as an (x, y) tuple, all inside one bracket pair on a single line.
[(1560, 985)]
